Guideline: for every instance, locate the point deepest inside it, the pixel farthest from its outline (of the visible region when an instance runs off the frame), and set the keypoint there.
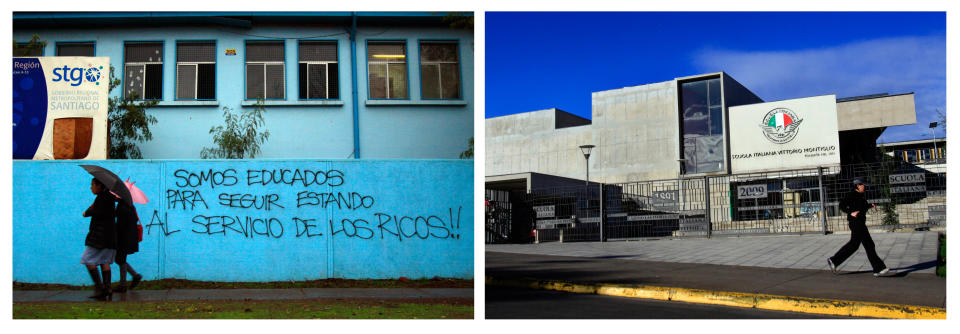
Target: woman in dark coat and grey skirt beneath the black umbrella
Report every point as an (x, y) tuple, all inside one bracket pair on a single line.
[(101, 240)]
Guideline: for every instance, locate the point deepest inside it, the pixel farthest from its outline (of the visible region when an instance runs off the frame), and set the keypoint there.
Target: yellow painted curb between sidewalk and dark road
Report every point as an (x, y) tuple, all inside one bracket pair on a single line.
[(736, 299)]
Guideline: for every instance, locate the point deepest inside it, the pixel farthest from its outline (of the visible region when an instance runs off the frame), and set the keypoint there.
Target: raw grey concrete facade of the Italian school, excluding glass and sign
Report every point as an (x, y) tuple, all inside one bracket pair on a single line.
[(637, 132)]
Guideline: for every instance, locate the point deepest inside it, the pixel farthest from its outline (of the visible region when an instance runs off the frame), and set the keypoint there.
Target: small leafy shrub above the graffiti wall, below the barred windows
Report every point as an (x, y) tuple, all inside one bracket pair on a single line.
[(241, 137)]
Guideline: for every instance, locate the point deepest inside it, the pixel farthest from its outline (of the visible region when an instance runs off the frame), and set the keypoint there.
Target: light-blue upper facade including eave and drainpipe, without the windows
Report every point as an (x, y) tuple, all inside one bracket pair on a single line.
[(411, 128)]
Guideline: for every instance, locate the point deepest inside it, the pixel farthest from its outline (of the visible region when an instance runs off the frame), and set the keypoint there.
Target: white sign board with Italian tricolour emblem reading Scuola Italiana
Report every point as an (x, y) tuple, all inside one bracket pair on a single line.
[(789, 134)]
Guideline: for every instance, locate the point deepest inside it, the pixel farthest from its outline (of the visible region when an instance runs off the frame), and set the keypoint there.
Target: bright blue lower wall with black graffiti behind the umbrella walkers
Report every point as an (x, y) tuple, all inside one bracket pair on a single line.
[(301, 235)]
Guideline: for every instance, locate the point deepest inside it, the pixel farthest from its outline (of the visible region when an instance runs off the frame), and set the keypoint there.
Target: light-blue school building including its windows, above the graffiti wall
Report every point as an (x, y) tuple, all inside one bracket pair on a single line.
[(336, 85)]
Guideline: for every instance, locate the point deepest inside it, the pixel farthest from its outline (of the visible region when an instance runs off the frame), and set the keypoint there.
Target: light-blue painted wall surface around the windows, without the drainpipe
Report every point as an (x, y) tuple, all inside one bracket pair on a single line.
[(408, 129)]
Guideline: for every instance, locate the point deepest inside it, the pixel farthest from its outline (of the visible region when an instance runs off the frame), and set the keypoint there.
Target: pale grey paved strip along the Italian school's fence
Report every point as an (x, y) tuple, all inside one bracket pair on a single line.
[(913, 250)]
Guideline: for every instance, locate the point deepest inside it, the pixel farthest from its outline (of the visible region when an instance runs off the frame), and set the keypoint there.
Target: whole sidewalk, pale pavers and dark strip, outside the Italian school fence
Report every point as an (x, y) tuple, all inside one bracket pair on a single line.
[(788, 268)]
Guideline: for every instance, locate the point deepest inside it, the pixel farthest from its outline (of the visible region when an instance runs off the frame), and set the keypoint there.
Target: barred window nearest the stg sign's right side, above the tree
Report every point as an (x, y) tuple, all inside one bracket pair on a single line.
[(143, 70)]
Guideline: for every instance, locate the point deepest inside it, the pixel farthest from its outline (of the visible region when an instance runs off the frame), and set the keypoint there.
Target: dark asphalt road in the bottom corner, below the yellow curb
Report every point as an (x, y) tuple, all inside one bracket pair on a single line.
[(513, 303)]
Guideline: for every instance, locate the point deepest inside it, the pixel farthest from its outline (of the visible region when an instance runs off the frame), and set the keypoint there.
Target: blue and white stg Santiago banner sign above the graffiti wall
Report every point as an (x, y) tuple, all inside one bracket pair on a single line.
[(60, 107)]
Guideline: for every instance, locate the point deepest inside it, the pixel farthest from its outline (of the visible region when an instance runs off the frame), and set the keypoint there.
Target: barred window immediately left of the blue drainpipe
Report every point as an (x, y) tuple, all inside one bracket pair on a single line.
[(319, 73)]
